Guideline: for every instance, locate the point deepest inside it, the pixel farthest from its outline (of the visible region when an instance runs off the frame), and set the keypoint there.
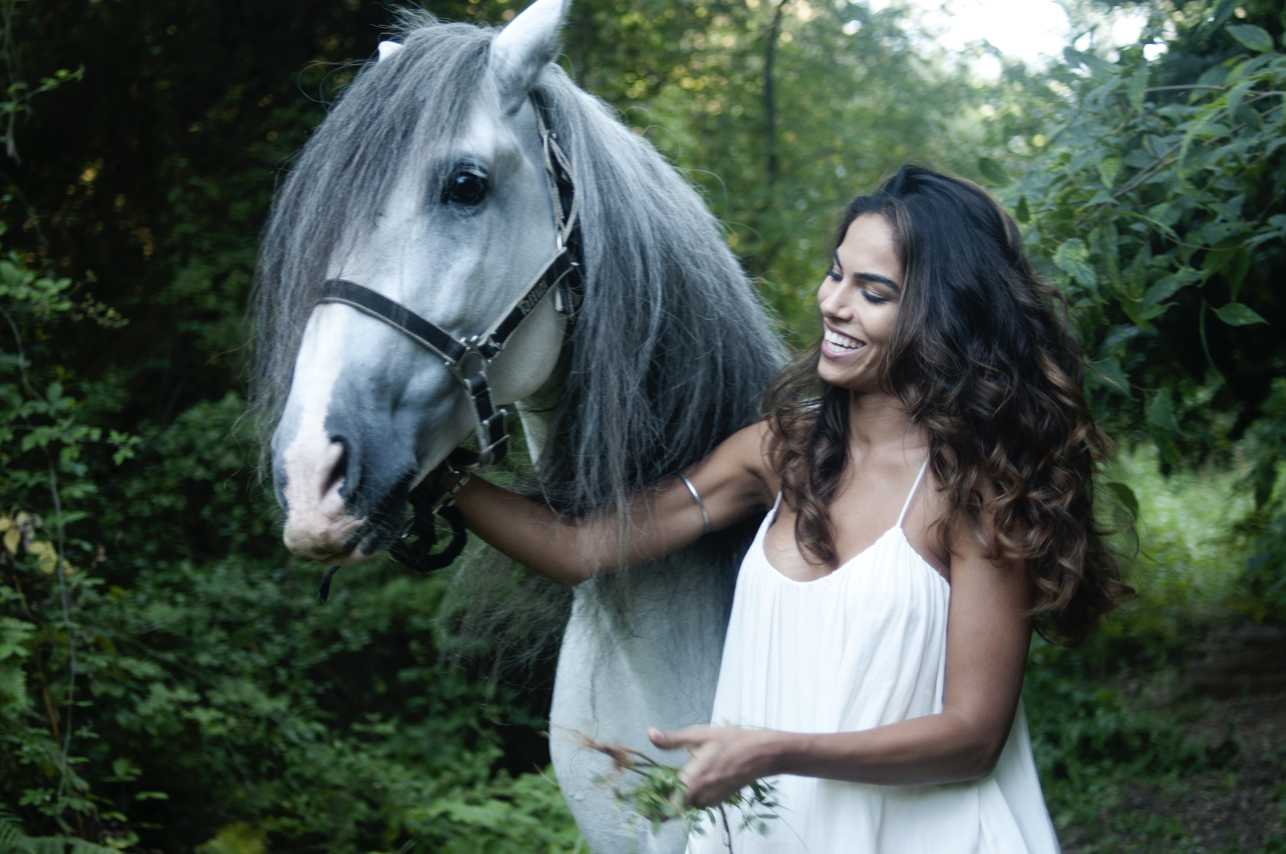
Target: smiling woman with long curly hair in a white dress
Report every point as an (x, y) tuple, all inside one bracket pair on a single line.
[(927, 509)]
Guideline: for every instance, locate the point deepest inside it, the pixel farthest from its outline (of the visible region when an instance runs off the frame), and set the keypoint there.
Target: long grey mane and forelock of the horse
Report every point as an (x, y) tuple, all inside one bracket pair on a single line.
[(671, 350)]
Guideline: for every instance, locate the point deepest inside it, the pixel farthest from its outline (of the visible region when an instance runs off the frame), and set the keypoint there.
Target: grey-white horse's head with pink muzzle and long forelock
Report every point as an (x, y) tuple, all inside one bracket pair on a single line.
[(464, 222)]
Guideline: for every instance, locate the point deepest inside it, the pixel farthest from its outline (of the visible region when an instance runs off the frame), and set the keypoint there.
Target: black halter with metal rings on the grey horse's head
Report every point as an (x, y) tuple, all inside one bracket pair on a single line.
[(470, 358)]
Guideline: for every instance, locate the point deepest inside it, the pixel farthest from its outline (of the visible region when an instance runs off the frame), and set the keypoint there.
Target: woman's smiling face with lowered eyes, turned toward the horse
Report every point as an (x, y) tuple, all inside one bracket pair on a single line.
[(860, 304)]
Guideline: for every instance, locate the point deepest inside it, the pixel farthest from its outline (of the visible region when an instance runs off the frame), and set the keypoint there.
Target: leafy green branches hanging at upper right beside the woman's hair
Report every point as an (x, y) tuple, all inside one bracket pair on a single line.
[(1158, 210)]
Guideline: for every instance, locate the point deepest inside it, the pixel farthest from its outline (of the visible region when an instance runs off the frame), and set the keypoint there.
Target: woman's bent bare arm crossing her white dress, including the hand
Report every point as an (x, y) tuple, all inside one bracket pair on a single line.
[(987, 645)]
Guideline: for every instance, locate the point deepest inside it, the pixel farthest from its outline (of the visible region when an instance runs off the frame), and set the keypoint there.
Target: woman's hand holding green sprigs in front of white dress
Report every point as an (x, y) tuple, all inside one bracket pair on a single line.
[(725, 761)]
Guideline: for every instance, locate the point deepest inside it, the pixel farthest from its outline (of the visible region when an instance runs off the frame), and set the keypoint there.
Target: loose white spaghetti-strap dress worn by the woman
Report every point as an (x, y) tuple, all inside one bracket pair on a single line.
[(862, 648)]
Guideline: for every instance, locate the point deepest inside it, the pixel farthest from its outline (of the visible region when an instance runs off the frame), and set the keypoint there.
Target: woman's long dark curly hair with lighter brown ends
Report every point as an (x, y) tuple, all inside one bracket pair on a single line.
[(982, 359)]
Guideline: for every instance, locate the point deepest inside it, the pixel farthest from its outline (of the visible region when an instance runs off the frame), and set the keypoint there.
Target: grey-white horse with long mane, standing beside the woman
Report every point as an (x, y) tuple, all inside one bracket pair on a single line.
[(429, 191)]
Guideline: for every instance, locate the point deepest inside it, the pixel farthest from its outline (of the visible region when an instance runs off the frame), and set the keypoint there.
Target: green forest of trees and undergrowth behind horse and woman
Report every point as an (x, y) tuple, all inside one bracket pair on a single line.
[(168, 682)]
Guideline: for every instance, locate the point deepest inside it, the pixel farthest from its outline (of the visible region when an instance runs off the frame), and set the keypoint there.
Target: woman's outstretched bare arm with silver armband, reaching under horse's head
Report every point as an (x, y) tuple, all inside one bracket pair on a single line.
[(732, 482)]
